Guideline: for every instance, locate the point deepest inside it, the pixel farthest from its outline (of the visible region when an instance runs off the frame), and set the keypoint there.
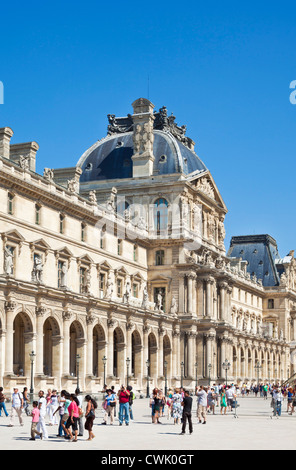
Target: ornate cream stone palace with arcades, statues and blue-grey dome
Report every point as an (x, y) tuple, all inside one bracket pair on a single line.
[(116, 270)]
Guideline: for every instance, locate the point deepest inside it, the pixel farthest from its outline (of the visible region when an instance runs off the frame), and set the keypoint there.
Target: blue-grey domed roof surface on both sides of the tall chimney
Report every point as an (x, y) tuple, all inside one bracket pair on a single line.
[(111, 157)]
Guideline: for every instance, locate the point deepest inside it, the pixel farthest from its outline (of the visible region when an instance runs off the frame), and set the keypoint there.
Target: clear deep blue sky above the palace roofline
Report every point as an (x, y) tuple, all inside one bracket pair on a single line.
[(223, 69)]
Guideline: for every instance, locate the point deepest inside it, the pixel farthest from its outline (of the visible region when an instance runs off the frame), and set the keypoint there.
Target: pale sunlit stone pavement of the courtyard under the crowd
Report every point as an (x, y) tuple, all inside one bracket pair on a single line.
[(251, 430)]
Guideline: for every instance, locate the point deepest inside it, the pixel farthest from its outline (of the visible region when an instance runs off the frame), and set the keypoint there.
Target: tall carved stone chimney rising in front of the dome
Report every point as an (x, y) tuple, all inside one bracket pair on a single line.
[(143, 138)]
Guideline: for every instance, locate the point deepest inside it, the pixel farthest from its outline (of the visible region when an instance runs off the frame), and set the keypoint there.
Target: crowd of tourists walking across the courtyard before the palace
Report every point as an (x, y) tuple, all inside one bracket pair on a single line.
[(72, 414)]
